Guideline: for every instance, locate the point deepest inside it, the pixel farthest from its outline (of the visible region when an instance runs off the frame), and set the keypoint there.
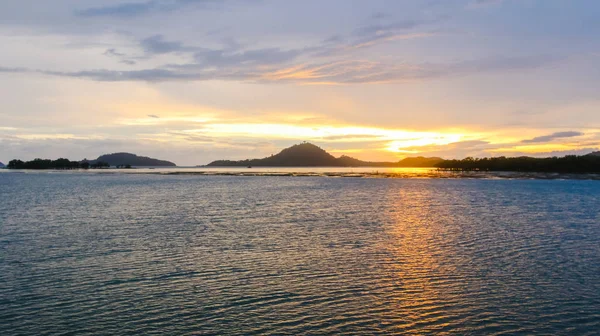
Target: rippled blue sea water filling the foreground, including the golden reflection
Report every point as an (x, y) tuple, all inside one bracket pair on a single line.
[(107, 254)]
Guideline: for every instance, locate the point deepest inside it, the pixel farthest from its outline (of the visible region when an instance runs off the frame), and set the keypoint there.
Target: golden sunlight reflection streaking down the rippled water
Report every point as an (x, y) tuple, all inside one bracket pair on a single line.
[(417, 260)]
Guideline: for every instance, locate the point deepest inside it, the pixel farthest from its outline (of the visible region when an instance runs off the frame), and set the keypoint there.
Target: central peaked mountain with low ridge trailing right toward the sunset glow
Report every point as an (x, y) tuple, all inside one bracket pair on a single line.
[(309, 155)]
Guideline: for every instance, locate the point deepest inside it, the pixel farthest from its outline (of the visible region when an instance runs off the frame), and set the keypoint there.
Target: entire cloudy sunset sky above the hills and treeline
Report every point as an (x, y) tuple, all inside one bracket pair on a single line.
[(192, 81)]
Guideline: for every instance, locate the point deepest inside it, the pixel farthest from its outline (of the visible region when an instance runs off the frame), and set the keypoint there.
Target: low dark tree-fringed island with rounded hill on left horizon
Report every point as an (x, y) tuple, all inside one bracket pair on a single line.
[(119, 160)]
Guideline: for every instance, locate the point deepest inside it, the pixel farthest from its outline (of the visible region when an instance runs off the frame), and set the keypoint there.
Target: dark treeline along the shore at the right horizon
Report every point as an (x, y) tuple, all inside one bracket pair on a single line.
[(567, 164)]
